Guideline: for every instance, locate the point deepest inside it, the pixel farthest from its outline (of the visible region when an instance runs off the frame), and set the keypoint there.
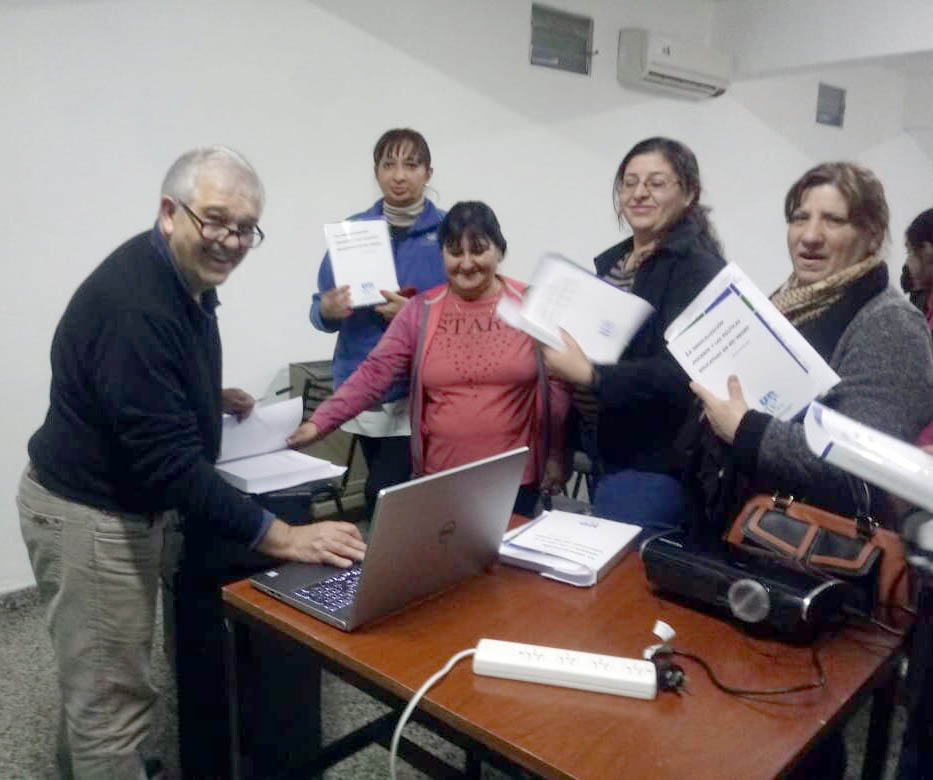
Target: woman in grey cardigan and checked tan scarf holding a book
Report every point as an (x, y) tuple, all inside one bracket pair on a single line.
[(839, 299)]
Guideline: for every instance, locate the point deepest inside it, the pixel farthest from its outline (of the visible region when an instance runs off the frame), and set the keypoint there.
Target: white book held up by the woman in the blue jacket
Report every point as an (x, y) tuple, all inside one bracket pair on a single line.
[(361, 256)]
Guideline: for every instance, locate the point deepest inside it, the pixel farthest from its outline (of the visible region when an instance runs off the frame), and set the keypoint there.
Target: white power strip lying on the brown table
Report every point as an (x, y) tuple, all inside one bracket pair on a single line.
[(568, 668)]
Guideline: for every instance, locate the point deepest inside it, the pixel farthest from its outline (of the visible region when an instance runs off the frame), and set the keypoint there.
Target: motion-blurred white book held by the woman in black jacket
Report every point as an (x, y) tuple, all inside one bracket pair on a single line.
[(602, 318)]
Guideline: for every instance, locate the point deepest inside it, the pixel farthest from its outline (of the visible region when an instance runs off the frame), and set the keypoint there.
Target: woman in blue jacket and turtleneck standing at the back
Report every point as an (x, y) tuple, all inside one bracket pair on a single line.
[(402, 165)]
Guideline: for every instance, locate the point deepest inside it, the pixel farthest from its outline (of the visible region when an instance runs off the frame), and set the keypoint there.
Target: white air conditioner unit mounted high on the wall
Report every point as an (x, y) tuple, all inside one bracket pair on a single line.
[(660, 63)]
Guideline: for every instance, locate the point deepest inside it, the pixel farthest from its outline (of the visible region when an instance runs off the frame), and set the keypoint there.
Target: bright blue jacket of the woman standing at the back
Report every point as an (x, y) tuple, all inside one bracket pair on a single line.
[(418, 264)]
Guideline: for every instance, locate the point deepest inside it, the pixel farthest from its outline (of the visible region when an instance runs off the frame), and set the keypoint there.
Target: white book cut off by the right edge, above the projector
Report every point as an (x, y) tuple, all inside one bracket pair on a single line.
[(891, 464)]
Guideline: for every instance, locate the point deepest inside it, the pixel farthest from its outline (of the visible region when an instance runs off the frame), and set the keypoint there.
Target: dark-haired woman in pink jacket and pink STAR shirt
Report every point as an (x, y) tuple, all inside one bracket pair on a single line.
[(478, 387)]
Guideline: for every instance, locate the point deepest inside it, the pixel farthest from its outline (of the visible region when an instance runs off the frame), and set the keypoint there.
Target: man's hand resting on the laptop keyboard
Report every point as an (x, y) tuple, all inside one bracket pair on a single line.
[(335, 543)]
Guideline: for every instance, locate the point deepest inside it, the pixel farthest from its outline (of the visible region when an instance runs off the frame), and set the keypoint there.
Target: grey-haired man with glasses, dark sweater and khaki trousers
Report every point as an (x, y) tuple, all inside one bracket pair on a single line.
[(130, 437)]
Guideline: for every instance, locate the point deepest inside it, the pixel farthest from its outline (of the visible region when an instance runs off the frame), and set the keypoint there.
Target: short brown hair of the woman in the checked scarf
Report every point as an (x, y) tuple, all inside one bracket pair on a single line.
[(863, 193)]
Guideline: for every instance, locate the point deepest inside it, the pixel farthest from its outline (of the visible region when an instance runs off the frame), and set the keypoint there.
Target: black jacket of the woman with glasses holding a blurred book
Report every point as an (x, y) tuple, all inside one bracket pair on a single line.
[(644, 398)]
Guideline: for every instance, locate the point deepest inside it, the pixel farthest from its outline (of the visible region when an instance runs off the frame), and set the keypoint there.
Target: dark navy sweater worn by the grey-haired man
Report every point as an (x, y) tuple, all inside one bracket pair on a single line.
[(135, 409)]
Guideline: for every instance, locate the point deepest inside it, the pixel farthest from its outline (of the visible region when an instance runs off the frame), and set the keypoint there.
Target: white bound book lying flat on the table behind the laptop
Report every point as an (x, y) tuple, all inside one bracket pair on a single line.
[(568, 547)]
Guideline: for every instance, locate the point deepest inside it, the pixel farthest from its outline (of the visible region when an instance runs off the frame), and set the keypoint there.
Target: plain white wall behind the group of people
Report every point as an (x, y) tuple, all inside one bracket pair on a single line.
[(99, 97)]
